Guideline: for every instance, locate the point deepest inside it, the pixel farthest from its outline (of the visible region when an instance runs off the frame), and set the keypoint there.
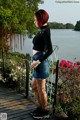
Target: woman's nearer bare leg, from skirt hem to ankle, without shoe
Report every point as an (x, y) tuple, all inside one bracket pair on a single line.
[(41, 85)]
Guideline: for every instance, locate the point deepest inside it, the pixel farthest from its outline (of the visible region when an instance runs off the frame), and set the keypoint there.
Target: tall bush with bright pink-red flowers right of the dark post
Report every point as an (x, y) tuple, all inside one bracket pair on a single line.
[(69, 86)]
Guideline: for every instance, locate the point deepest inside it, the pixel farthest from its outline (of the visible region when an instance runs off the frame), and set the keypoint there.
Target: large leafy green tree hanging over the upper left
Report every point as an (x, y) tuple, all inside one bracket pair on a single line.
[(16, 16)]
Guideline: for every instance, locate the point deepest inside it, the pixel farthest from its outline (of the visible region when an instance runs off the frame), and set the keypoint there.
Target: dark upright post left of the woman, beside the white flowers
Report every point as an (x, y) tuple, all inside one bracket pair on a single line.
[(27, 74)]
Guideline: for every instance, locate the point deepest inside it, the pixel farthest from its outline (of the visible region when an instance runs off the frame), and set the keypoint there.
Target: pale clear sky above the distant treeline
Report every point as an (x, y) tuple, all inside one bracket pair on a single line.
[(62, 11)]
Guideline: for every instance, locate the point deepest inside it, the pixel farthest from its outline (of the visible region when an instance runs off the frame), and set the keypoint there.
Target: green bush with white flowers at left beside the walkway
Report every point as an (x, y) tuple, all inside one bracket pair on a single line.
[(15, 70)]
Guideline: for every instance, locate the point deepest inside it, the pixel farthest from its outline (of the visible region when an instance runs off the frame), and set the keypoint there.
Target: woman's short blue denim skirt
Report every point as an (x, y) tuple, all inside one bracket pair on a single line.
[(42, 70)]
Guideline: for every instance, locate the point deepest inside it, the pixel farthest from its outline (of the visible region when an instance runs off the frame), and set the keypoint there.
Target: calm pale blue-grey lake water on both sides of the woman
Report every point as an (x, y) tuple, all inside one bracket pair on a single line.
[(67, 40)]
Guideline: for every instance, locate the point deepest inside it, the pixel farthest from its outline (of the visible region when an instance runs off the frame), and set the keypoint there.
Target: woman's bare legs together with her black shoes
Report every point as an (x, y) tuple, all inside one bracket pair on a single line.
[(40, 90)]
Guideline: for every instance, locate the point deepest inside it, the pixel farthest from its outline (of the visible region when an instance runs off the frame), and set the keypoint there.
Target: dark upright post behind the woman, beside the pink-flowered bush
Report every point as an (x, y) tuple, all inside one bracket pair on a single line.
[(55, 91)]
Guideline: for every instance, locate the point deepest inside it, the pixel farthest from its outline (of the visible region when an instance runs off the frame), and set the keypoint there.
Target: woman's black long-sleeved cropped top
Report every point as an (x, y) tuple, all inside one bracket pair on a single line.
[(42, 42)]
